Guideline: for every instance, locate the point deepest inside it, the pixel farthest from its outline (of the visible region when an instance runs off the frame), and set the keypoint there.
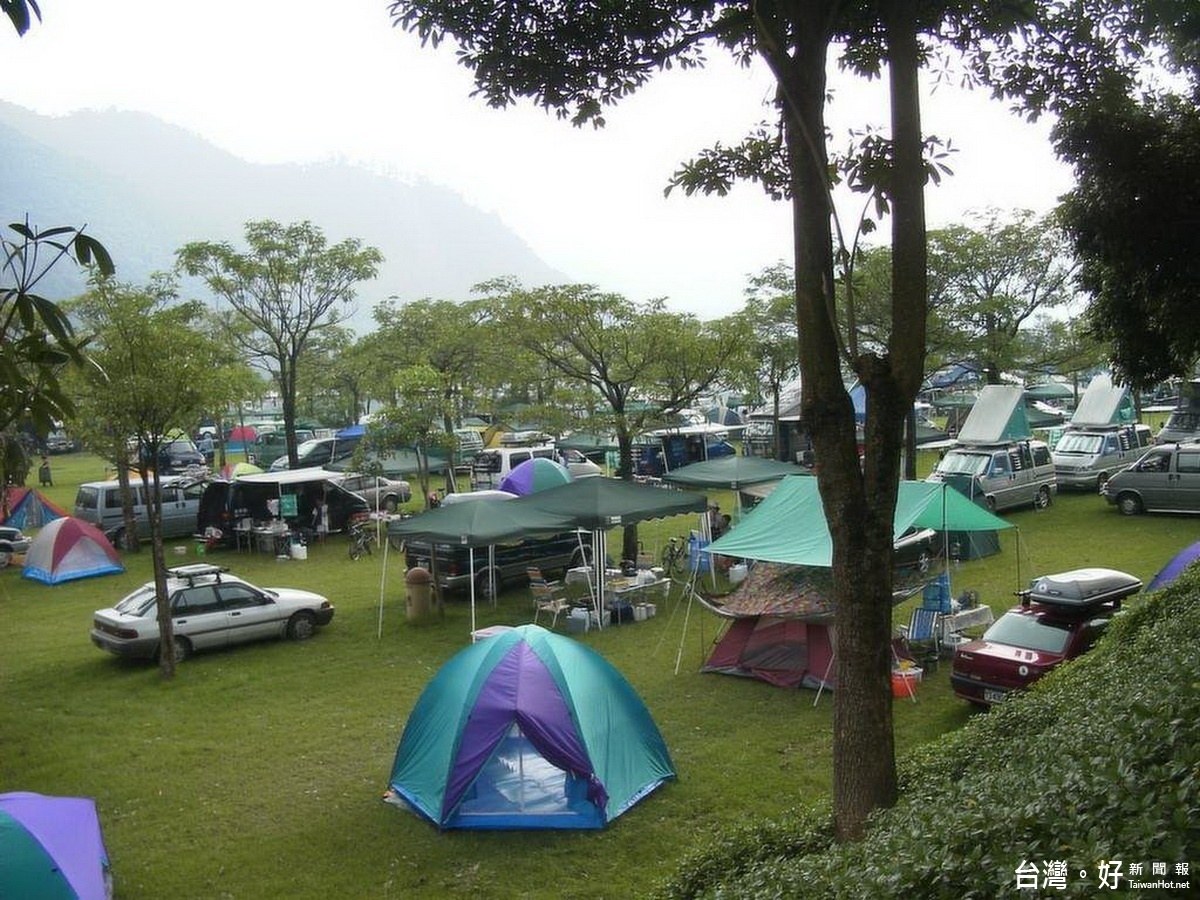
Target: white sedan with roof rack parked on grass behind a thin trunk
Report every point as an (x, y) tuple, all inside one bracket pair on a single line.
[(209, 609)]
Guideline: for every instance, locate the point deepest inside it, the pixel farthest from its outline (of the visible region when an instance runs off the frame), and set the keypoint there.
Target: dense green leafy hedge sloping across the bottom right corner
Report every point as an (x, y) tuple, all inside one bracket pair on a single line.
[(1099, 763)]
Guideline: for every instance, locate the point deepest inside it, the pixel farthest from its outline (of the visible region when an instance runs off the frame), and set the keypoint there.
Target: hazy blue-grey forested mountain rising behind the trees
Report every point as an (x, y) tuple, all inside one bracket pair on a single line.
[(145, 189)]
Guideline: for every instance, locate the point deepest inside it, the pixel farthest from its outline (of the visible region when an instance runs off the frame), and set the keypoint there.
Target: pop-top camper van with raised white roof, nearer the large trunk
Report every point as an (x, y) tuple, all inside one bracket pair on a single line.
[(995, 459)]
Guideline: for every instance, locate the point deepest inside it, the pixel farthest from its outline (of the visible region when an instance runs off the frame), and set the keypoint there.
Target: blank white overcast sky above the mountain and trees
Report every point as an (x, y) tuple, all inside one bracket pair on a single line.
[(283, 81)]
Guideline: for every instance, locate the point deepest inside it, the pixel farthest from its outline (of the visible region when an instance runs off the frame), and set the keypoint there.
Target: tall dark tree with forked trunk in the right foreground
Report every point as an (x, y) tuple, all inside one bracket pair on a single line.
[(577, 58)]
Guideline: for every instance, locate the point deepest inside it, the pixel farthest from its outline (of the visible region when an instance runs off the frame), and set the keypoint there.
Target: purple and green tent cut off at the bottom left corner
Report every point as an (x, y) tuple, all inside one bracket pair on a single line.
[(52, 848)]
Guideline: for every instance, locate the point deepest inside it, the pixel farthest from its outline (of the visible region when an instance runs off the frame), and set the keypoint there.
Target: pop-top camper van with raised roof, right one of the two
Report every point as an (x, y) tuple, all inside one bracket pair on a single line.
[(1101, 440)]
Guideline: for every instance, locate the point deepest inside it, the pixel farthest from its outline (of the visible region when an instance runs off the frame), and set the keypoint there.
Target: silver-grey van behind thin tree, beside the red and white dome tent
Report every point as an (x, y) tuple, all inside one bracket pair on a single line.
[(100, 503)]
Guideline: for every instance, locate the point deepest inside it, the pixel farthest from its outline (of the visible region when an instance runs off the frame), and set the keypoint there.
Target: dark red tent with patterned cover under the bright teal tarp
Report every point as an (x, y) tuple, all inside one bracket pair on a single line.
[(782, 629)]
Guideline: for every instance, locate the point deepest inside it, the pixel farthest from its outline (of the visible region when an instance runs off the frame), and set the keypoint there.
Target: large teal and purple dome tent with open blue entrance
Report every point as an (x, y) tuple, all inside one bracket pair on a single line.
[(529, 730)]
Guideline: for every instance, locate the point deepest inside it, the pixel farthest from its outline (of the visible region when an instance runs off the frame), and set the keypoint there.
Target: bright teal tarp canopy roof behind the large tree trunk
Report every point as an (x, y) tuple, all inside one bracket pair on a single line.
[(790, 525)]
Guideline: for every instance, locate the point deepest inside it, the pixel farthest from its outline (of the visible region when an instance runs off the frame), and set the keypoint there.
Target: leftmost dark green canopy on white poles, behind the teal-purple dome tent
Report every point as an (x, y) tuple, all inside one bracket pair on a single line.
[(479, 524)]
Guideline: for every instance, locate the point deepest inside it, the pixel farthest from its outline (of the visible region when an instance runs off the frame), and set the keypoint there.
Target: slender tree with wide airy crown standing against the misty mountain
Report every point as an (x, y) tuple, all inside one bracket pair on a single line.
[(287, 287)]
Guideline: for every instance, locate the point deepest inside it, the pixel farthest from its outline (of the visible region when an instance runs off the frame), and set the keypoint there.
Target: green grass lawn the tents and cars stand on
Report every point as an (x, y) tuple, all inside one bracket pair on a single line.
[(259, 772)]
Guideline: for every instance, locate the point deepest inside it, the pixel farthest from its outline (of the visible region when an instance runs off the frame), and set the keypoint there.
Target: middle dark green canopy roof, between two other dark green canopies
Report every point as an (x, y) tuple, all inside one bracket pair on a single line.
[(598, 503)]
